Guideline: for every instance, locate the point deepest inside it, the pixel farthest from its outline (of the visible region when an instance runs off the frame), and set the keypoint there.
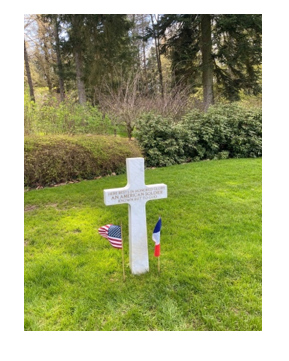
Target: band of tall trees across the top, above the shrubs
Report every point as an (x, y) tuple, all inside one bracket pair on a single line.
[(87, 54)]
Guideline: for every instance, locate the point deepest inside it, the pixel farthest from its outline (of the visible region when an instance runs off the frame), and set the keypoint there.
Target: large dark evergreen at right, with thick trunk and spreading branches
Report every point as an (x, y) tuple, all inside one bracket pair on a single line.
[(225, 49)]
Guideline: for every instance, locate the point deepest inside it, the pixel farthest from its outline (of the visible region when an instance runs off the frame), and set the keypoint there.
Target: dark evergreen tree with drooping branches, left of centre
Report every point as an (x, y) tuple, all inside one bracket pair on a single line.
[(98, 42)]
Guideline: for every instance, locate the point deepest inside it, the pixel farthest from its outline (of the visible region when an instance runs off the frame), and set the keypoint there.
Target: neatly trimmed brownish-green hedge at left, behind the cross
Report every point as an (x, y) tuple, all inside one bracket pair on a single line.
[(55, 159)]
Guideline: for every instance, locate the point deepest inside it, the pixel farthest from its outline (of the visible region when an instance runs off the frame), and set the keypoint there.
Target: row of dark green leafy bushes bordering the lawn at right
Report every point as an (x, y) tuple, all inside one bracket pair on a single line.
[(225, 131)]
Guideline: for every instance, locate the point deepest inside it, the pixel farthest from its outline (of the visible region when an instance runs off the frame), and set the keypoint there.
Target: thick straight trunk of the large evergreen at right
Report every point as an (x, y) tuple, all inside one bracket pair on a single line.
[(207, 61)]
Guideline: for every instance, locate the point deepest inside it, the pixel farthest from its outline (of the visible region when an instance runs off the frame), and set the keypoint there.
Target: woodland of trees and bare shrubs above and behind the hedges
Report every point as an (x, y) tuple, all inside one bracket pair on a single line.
[(117, 67)]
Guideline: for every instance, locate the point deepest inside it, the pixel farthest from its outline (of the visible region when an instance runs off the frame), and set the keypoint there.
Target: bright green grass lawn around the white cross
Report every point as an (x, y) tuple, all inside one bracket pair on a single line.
[(211, 254)]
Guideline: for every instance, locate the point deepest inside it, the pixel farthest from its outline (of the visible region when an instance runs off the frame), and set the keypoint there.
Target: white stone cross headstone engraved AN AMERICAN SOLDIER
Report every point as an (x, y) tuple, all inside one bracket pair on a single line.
[(136, 193)]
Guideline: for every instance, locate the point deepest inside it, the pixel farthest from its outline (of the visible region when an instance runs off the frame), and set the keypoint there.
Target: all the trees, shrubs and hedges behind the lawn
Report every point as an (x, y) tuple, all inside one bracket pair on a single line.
[(184, 87)]
